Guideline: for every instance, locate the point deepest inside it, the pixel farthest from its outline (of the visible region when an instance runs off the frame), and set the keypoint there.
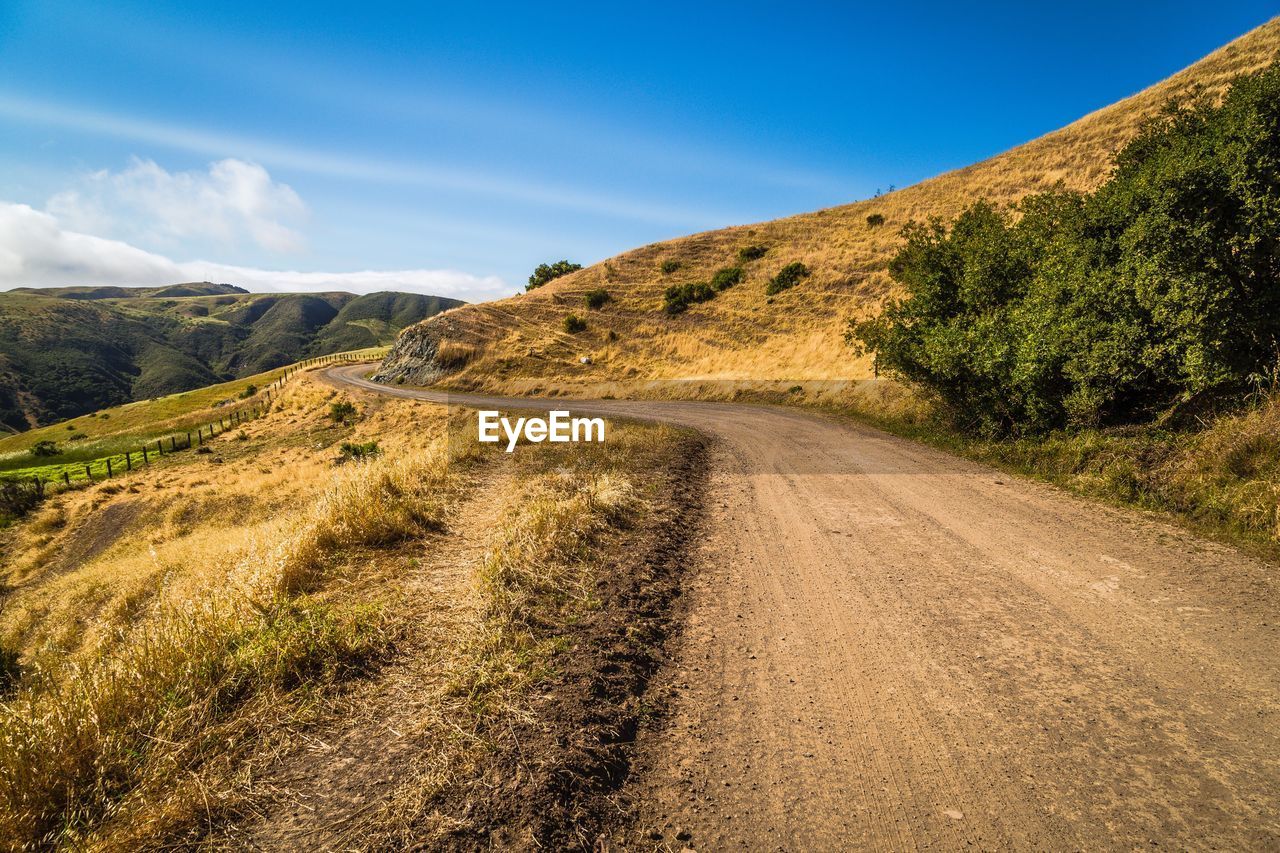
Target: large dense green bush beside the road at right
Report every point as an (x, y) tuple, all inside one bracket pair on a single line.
[(1151, 297)]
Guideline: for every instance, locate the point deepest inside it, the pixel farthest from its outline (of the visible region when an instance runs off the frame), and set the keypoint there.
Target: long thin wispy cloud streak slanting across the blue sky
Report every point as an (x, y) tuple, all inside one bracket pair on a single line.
[(348, 167)]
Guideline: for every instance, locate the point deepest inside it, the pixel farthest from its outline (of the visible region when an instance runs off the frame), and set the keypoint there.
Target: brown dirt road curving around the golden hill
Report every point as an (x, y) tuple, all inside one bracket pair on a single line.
[(892, 649)]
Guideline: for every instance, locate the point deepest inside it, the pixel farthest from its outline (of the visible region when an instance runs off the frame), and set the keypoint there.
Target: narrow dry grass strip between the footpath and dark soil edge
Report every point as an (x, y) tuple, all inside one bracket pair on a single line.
[(545, 549)]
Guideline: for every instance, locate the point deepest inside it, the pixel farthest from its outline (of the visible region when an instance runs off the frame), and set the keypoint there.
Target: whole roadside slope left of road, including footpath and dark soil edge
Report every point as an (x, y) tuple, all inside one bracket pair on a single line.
[(175, 642)]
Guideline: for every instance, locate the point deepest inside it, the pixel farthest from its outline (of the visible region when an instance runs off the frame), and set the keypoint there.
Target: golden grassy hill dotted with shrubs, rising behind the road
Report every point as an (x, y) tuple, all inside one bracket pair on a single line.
[(520, 345)]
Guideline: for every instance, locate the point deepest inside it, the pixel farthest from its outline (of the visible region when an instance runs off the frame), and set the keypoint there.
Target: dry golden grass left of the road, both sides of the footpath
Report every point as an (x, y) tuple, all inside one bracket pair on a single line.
[(180, 627)]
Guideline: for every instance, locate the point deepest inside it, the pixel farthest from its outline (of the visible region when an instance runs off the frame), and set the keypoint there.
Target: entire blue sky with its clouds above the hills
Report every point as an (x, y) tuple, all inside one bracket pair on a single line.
[(454, 147)]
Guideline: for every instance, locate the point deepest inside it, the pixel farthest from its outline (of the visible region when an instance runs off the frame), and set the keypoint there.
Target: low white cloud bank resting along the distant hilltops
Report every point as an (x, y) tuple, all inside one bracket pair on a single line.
[(38, 252)]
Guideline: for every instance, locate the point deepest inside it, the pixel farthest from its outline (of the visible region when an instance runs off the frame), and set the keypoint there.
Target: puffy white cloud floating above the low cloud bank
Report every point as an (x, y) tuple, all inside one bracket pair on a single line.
[(230, 203)]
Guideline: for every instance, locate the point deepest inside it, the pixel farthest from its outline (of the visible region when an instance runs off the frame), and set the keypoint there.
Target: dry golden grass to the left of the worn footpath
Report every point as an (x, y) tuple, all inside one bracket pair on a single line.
[(170, 621)]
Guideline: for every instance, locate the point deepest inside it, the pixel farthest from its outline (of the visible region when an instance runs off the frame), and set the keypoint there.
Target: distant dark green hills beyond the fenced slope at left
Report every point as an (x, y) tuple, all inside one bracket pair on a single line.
[(72, 350)]
